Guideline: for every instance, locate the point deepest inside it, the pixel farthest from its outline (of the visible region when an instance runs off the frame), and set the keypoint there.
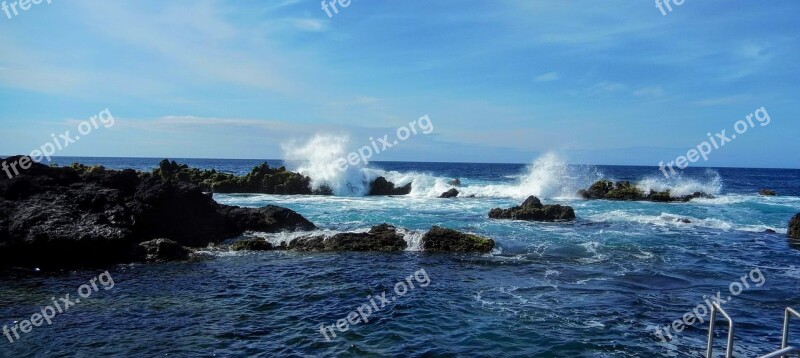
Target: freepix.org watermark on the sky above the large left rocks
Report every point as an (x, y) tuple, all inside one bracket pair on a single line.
[(58, 143)]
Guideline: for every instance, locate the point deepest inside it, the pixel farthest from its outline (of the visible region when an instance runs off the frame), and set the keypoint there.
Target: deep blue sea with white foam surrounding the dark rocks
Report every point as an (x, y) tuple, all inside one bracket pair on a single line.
[(593, 288)]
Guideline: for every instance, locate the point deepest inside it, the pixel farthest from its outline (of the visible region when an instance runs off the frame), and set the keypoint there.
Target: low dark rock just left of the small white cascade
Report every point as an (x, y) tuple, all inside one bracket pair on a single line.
[(383, 238)]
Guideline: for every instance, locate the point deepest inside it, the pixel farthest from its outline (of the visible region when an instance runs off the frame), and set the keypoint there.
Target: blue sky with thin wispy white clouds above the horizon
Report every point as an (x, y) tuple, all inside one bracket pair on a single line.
[(598, 82)]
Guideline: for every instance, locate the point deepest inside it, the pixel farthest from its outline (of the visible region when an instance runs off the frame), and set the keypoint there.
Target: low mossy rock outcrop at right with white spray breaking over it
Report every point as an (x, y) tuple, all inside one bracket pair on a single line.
[(626, 191)]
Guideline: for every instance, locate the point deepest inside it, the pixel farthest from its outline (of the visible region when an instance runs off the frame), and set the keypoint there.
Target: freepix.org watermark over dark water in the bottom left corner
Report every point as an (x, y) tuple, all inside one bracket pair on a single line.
[(49, 312)]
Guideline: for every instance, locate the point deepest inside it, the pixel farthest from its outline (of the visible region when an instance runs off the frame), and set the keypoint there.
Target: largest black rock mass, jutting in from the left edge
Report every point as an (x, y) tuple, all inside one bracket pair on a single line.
[(82, 217)]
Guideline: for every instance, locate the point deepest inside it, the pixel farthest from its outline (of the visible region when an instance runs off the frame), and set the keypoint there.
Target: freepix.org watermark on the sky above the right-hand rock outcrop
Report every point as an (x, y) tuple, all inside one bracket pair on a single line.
[(716, 141)]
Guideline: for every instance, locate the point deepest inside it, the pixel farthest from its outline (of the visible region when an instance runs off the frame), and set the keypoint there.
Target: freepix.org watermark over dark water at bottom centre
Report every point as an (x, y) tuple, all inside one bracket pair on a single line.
[(363, 313)]
